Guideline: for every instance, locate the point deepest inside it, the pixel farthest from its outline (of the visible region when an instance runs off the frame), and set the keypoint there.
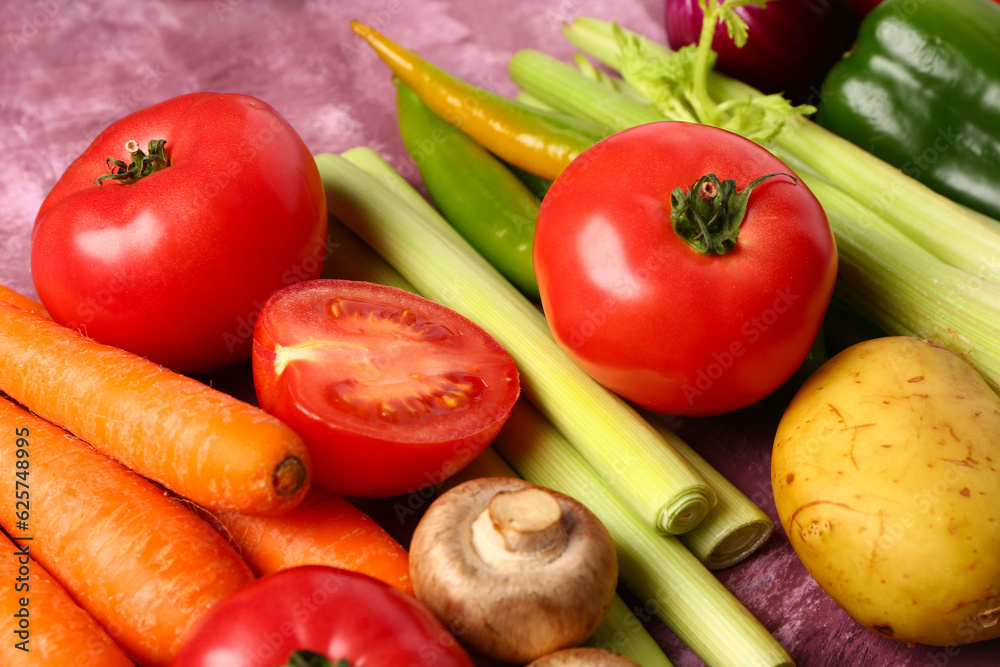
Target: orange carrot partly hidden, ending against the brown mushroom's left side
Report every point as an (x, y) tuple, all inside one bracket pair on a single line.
[(323, 529)]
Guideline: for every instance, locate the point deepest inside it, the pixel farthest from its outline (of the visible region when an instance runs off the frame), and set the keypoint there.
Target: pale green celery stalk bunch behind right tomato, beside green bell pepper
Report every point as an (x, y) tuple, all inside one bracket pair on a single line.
[(911, 260)]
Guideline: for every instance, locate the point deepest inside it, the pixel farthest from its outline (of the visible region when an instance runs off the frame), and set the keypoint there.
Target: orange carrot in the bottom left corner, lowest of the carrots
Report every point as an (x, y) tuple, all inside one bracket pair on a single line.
[(41, 624)]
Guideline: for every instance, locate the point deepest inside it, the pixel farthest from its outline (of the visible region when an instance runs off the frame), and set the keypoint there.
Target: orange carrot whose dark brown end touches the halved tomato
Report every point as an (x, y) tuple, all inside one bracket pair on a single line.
[(199, 442)]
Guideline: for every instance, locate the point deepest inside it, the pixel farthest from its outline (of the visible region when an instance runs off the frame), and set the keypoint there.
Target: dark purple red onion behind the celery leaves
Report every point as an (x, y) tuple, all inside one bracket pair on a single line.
[(791, 43)]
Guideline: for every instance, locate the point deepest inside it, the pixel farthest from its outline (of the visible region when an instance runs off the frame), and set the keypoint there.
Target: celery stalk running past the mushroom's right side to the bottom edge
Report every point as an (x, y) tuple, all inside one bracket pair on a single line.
[(660, 569)]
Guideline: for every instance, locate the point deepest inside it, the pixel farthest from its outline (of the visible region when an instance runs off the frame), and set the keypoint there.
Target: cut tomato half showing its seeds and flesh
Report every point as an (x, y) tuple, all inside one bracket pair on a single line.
[(350, 396)]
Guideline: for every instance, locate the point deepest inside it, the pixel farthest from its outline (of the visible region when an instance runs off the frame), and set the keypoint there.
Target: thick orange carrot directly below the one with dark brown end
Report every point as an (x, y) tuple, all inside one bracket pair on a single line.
[(141, 562)]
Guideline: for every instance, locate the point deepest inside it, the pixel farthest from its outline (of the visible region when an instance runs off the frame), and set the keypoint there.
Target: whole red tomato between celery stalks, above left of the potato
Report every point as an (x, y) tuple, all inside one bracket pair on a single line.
[(663, 326)]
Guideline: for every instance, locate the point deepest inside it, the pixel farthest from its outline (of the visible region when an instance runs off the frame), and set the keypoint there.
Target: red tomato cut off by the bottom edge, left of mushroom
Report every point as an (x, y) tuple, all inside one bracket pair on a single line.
[(336, 613)]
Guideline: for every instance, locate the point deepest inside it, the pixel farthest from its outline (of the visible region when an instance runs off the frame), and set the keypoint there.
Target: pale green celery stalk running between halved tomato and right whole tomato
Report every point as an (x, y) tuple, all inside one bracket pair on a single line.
[(399, 224)]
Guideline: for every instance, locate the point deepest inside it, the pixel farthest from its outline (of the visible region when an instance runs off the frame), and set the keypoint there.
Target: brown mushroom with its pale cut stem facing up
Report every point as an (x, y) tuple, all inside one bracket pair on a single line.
[(513, 569)]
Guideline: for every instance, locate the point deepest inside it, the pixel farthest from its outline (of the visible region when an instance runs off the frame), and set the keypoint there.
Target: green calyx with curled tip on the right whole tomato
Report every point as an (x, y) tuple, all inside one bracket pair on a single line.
[(708, 217)]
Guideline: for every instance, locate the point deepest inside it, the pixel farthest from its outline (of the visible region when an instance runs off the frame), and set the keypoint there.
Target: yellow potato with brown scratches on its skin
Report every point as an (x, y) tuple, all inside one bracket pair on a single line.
[(884, 472)]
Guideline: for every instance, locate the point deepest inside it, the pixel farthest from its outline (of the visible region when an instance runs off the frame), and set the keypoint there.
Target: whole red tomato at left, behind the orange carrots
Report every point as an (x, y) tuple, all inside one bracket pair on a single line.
[(176, 266)]
